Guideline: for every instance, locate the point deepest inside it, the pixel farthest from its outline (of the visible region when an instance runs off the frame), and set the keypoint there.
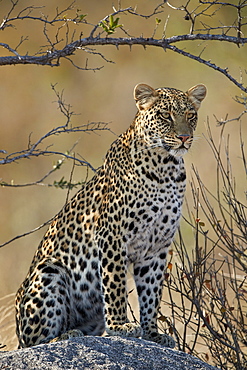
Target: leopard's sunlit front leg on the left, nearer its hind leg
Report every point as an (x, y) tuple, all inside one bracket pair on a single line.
[(114, 286)]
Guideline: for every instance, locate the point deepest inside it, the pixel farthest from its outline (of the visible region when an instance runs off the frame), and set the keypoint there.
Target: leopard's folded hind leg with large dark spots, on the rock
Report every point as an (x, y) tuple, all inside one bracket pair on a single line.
[(43, 310)]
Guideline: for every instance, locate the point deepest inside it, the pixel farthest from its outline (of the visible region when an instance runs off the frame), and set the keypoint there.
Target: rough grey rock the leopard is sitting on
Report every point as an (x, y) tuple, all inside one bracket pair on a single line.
[(89, 352)]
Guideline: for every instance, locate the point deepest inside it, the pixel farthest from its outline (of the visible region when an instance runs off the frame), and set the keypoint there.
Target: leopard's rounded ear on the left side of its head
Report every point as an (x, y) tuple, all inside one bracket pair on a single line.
[(145, 96)]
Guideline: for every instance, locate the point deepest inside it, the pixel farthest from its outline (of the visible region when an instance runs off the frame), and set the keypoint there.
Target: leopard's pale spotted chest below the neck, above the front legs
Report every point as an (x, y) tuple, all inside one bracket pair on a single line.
[(155, 215)]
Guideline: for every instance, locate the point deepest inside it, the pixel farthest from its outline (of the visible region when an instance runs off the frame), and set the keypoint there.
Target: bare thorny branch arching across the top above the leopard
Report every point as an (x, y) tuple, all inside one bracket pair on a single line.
[(100, 33)]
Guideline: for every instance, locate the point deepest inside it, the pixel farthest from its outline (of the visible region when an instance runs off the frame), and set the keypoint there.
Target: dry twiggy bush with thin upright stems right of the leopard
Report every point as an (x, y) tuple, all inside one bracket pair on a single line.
[(208, 287)]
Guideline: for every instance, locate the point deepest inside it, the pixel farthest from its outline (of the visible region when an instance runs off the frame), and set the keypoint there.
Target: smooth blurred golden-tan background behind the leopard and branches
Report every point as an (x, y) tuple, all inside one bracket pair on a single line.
[(28, 107)]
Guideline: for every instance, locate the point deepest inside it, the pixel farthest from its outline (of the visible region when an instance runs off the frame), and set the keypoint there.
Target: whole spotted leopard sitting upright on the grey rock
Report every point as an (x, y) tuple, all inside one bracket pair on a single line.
[(125, 215)]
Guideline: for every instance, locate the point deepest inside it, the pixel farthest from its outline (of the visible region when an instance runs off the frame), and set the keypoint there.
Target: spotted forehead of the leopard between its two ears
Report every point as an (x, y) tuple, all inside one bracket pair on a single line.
[(173, 99)]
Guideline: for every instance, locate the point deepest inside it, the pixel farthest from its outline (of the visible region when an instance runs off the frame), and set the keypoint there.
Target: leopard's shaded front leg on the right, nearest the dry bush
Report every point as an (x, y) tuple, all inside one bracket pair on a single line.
[(149, 277)]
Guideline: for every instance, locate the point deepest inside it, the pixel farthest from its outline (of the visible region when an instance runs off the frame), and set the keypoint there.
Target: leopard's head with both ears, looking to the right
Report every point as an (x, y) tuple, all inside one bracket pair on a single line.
[(167, 117)]
